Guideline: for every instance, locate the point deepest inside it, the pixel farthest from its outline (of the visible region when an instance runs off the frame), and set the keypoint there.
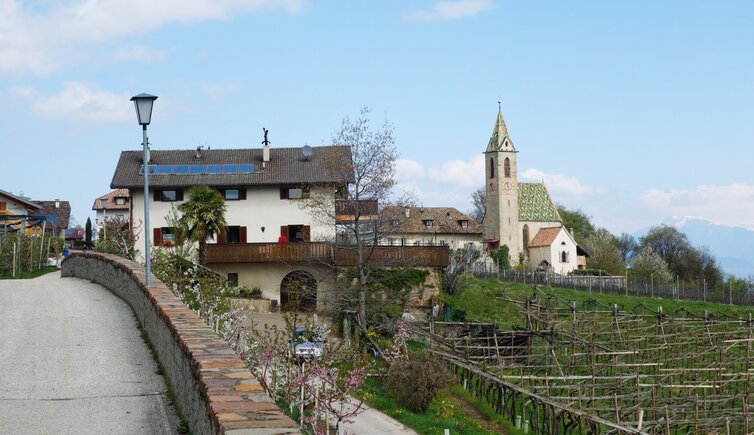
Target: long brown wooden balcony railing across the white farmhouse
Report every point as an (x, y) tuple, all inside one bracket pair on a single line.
[(325, 253)]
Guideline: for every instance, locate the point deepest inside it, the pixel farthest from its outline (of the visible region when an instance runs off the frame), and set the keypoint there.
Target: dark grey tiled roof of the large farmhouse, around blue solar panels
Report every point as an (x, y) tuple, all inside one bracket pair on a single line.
[(328, 164)]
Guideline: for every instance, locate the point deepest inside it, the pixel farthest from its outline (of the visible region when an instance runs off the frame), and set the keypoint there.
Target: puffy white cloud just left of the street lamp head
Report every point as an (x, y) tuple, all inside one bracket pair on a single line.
[(78, 102)]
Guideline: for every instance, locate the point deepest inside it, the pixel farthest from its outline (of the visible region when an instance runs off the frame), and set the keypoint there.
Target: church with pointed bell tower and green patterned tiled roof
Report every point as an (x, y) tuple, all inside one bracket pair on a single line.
[(522, 215)]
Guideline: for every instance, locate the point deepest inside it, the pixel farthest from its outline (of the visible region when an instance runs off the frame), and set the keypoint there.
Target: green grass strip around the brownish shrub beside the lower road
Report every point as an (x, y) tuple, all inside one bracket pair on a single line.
[(443, 412)]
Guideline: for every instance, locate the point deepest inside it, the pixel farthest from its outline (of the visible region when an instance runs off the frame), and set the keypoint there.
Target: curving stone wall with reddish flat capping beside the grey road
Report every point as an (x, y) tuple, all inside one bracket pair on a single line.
[(217, 392)]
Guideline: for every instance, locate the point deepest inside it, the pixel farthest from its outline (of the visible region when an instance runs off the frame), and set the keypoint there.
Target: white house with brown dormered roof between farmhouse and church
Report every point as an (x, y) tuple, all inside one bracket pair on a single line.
[(429, 226)]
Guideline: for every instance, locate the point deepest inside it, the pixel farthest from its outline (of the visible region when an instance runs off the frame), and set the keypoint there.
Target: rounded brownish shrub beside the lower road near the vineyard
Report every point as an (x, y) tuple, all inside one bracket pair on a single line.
[(414, 382)]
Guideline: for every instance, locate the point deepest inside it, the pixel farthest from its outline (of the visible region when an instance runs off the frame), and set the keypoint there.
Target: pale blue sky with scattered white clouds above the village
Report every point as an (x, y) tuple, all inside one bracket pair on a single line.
[(634, 112)]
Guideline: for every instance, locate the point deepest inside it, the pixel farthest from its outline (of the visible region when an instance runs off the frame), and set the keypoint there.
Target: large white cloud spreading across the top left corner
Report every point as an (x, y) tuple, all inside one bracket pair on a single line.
[(41, 40)]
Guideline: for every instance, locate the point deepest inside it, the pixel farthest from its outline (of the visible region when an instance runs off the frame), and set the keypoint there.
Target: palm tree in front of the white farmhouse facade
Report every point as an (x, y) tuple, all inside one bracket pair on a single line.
[(203, 216)]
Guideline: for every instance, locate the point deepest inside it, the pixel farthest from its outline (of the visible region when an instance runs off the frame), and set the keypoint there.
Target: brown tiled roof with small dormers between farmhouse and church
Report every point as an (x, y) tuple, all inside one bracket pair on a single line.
[(445, 220)]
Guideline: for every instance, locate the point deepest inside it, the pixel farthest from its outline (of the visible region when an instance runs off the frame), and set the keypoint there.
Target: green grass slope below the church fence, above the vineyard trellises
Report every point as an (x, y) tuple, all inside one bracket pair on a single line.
[(479, 299)]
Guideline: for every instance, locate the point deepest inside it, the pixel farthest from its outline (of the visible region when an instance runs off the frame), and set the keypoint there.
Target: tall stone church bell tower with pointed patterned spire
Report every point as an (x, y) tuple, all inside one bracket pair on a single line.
[(501, 187)]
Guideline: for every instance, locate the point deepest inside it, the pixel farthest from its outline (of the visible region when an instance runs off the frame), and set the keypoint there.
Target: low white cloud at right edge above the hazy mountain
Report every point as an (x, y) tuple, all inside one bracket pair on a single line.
[(730, 205)]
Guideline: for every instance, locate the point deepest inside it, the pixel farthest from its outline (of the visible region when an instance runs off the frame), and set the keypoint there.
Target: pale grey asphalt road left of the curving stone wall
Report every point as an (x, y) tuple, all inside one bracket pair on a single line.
[(72, 361)]
